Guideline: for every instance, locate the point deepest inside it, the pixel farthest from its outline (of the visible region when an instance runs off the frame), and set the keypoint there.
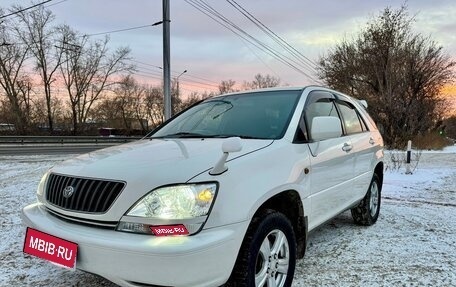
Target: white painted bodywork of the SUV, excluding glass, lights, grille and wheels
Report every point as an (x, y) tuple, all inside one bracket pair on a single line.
[(328, 178)]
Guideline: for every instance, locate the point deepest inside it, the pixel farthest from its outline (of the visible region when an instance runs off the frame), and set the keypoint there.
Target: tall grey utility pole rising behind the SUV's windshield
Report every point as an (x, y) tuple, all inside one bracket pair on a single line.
[(166, 61)]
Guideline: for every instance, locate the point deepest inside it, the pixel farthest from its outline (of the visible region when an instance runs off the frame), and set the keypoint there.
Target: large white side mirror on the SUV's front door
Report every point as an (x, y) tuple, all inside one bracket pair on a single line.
[(324, 128)]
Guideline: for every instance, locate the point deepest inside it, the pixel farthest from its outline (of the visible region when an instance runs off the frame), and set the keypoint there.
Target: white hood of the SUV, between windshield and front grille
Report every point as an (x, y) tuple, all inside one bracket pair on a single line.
[(147, 164)]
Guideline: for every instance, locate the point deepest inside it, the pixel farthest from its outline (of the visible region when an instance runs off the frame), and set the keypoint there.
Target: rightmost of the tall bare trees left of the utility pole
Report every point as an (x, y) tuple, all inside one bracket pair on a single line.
[(88, 69)]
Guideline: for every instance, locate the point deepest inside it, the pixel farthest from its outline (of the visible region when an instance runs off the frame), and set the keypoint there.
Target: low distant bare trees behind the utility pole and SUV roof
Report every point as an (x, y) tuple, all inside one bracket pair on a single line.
[(133, 106)]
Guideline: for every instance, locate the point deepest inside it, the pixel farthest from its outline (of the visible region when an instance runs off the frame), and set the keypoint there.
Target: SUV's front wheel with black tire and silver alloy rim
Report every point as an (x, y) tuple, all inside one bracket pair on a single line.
[(267, 257)]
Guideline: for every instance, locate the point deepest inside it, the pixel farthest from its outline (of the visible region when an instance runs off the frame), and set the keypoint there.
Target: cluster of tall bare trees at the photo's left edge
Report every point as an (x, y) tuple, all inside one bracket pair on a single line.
[(39, 58)]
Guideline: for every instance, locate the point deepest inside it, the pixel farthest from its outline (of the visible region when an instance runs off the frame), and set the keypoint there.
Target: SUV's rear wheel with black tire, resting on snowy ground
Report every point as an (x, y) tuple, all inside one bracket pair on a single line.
[(367, 211)]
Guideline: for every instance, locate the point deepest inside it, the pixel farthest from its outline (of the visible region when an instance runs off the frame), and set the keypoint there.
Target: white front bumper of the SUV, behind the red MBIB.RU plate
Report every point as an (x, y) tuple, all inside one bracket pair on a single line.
[(204, 259)]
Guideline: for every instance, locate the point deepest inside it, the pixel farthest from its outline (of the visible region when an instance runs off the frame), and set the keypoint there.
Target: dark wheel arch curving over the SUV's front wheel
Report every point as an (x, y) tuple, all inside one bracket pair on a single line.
[(289, 204)]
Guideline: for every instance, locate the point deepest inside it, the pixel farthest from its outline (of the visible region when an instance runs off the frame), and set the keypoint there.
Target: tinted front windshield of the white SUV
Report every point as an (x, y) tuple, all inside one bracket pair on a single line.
[(259, 115)]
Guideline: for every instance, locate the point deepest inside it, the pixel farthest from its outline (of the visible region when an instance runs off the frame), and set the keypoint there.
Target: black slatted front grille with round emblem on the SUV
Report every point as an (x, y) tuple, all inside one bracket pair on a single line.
[(82, 194)]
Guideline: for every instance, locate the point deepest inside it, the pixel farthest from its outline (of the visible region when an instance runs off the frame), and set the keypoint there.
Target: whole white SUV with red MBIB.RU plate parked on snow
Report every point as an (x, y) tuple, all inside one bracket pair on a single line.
[(226, 192)]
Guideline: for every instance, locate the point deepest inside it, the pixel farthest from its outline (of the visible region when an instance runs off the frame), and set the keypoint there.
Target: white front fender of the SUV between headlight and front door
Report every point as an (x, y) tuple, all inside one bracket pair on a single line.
[(265, 180)]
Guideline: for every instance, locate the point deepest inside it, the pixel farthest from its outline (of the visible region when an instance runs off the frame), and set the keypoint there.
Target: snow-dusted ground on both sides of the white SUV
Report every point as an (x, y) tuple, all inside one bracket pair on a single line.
[(412, 244)]
